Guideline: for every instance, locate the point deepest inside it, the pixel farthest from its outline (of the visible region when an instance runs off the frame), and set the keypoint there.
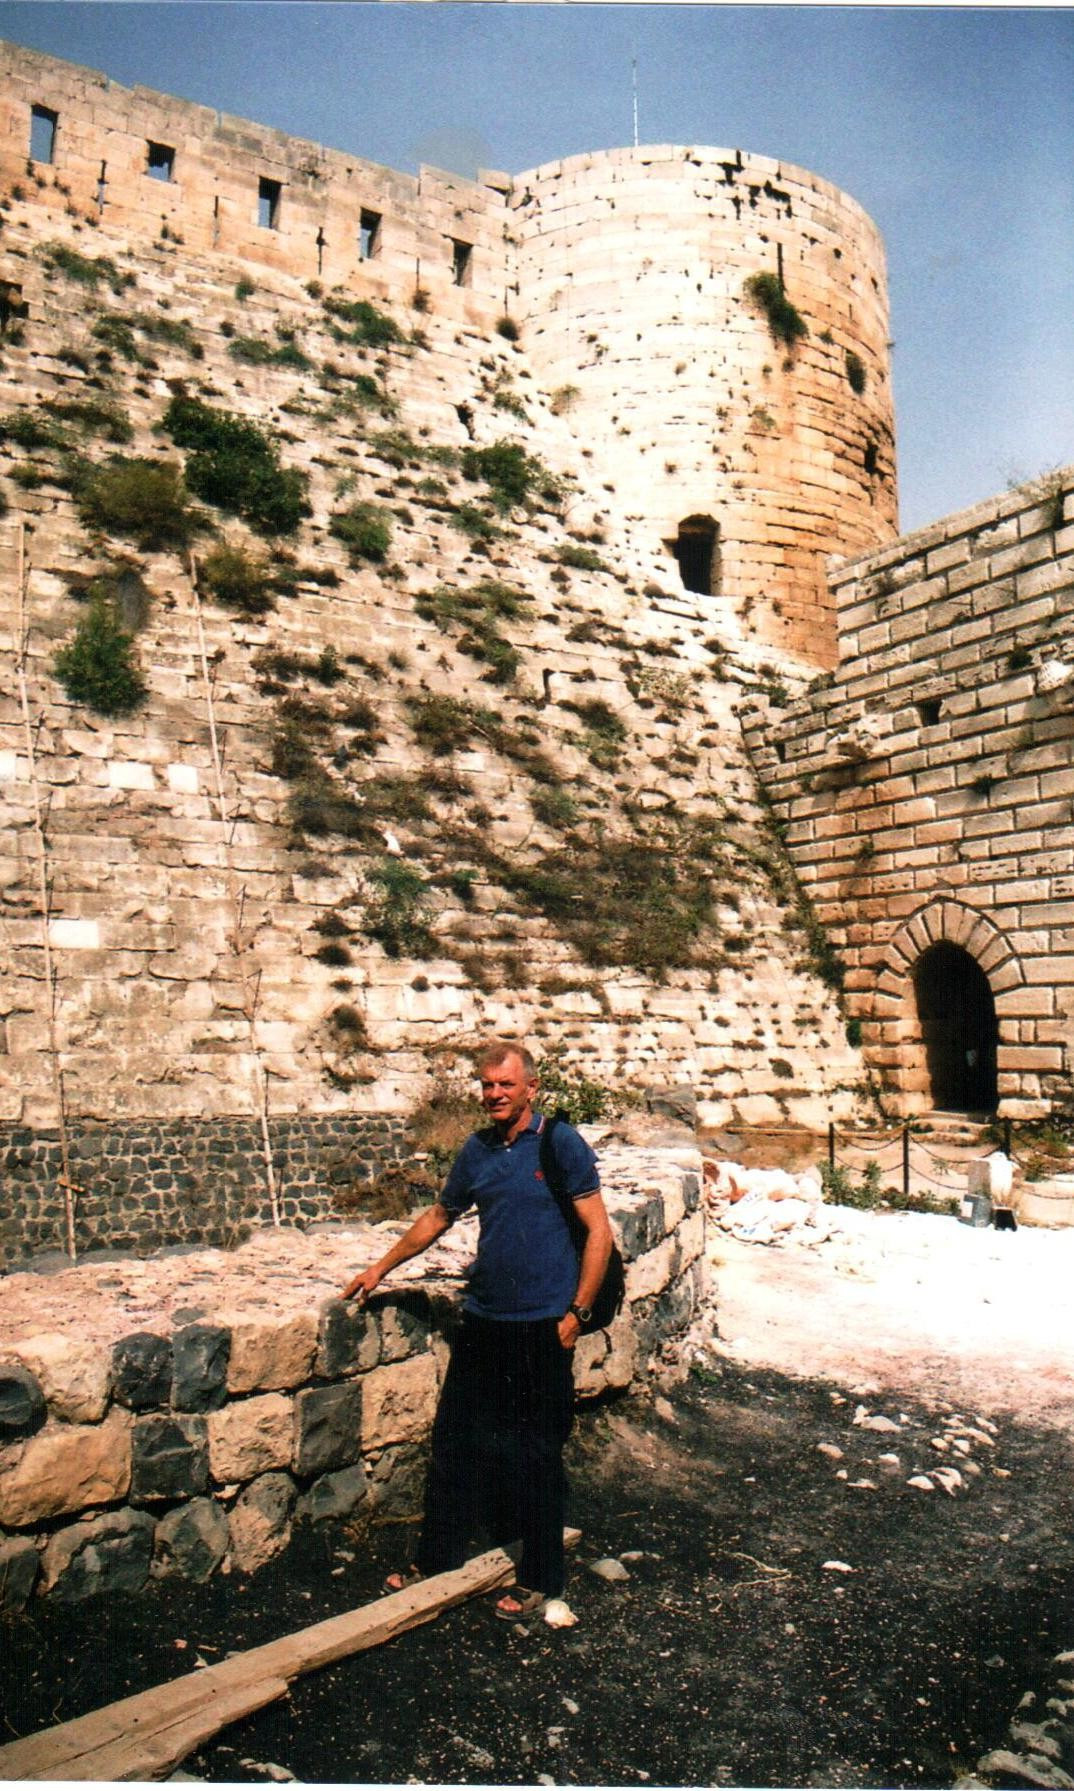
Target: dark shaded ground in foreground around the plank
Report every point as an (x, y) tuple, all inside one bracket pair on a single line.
[(731, 1658)]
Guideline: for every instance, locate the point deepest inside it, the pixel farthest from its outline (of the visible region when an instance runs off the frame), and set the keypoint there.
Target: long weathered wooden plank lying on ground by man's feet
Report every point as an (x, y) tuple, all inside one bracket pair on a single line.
[(151, 1733)]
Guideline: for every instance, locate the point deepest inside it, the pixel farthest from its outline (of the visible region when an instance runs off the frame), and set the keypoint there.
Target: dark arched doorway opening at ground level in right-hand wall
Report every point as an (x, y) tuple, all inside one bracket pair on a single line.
[(957, 1015)]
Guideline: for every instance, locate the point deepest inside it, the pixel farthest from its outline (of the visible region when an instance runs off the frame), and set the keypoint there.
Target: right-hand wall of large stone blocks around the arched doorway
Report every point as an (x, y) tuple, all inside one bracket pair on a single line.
[(928, 787)]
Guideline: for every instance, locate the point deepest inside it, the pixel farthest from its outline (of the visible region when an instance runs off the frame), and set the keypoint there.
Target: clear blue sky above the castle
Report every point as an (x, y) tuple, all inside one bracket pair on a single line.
[(953, 128)]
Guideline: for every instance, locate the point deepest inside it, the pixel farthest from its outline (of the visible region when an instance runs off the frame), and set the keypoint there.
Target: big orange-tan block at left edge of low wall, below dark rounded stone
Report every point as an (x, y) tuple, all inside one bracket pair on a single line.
[(65, 1468)]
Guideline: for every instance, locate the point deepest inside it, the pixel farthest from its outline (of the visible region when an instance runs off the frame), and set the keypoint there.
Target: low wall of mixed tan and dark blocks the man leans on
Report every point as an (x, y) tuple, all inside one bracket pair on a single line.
[(180, 1416)]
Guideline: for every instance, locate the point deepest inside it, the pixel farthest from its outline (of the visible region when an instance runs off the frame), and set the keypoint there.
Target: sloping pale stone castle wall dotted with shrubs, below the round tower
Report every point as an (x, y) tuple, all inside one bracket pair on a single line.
[(198, 948)]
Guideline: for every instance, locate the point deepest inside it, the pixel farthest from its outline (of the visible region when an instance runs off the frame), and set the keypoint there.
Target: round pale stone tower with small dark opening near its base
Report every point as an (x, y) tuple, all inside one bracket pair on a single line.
[(747, 422)]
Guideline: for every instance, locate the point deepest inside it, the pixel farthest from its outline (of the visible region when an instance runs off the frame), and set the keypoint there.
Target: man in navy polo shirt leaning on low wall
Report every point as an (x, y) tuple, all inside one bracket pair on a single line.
[(507, 1403)]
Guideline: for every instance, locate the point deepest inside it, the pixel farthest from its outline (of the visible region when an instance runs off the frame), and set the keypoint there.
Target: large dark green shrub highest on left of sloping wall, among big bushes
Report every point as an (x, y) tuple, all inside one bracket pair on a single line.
[(235, 467)]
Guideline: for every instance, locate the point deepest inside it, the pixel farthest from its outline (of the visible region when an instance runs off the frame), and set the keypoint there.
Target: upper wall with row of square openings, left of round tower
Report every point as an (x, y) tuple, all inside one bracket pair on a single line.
[(214, 198)]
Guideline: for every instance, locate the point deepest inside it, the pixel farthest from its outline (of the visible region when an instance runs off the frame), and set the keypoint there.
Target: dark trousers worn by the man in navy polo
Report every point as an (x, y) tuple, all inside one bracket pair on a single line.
[(499, 1439)]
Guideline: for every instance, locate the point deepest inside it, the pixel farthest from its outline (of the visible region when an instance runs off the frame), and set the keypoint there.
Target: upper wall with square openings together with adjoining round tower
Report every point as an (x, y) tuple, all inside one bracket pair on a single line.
[(627, 270)]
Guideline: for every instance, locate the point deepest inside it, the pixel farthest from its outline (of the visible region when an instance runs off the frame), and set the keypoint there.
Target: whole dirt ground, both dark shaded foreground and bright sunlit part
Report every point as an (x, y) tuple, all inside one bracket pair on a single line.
[(796, 1613)]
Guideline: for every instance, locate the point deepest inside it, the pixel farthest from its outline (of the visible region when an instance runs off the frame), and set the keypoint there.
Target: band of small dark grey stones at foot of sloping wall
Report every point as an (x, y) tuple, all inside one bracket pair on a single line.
[(144, 1185)]
